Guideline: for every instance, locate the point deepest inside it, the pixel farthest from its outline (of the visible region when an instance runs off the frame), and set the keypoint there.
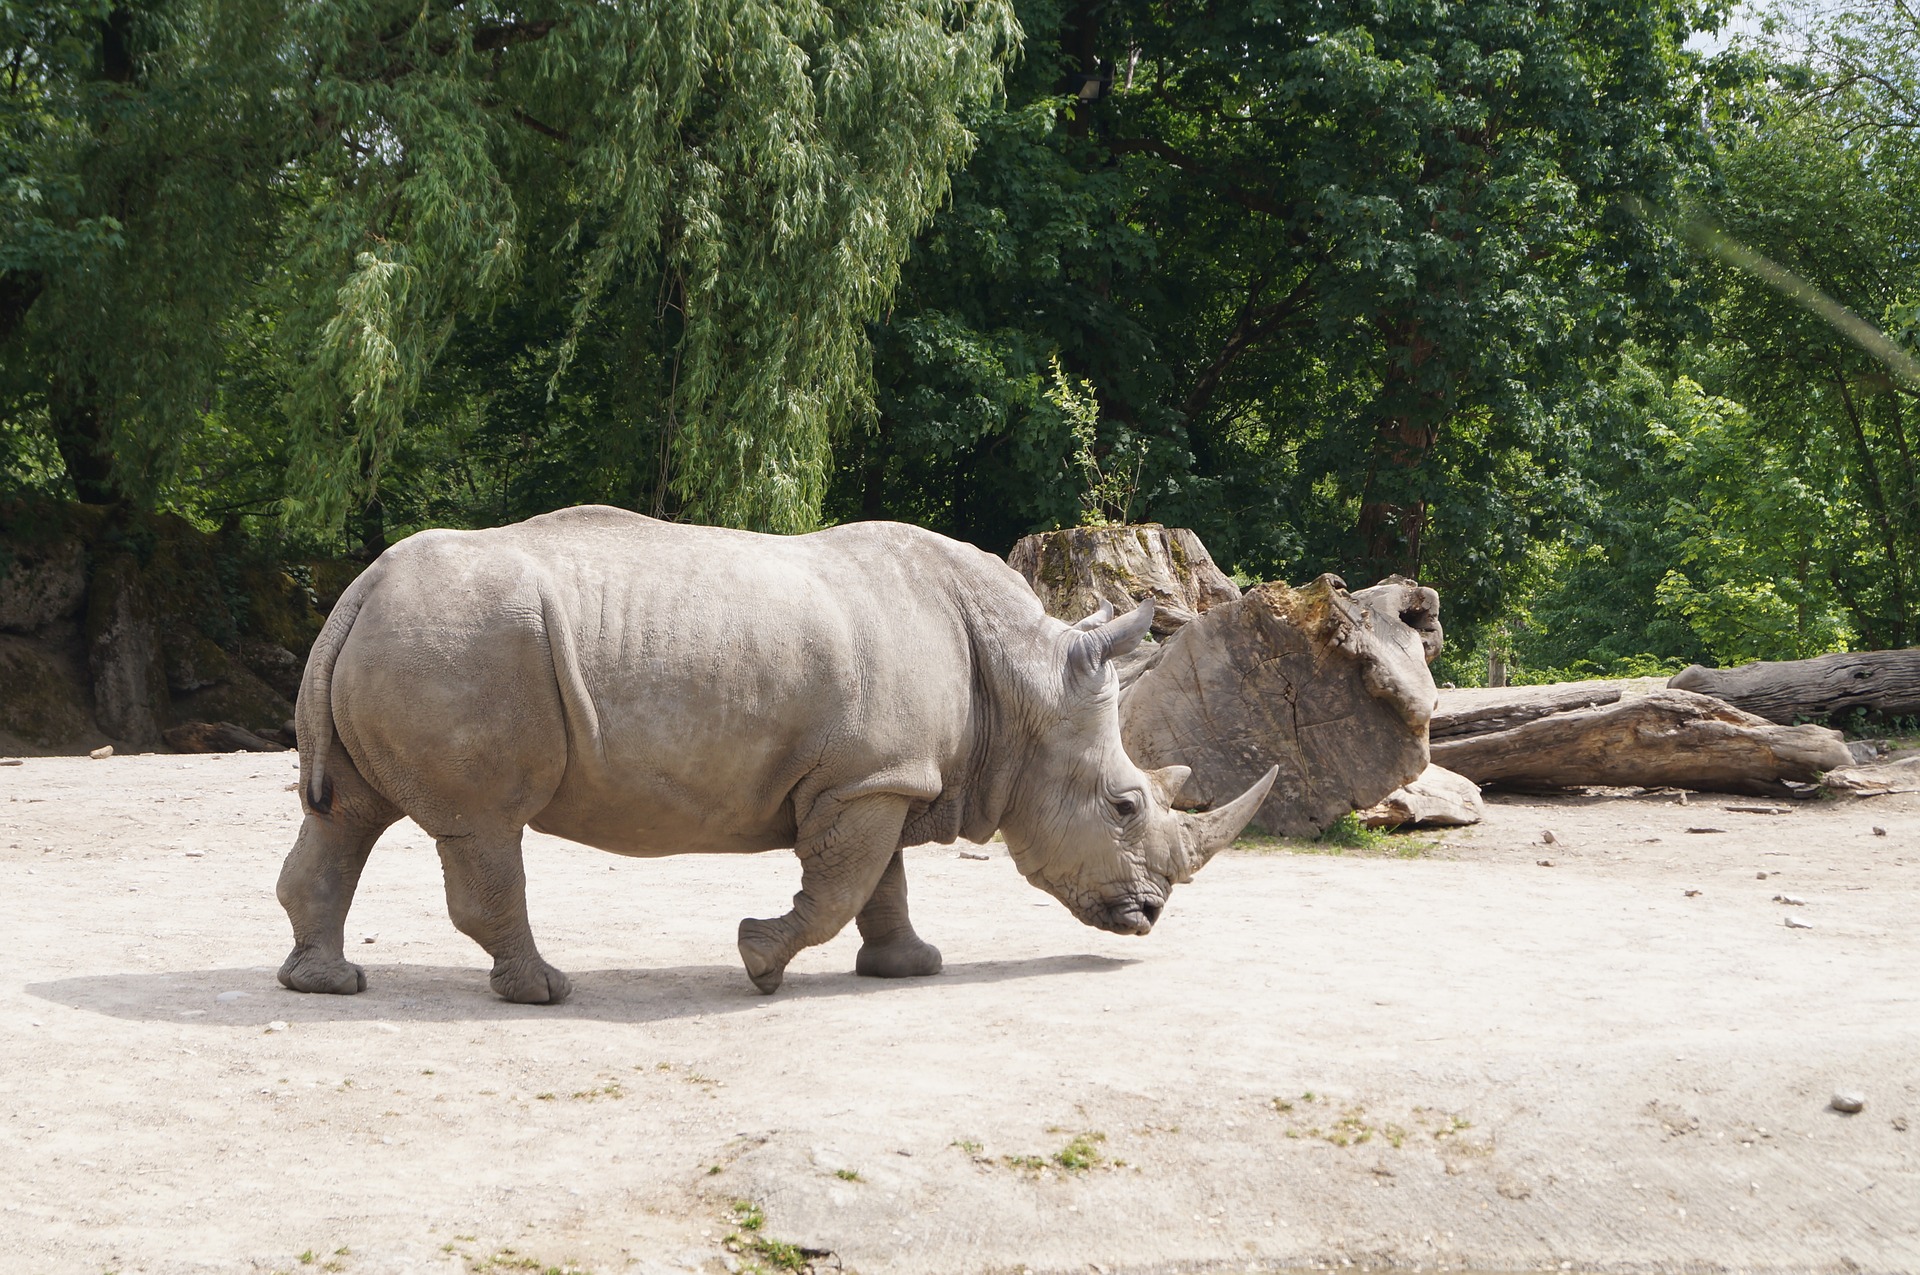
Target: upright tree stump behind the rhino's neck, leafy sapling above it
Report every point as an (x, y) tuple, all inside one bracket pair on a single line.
[(1080, 567)]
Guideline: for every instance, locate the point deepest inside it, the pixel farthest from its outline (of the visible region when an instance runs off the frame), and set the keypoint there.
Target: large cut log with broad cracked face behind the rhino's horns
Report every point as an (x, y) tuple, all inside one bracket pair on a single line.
[(1333, 692)]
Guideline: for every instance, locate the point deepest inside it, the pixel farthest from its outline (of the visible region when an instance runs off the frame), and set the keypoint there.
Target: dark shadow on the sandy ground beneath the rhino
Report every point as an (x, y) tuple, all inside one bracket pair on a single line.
[(400, 994)]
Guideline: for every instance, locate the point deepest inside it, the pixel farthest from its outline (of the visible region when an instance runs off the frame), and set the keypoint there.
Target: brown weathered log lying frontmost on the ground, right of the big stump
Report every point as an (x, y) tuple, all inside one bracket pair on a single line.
[(1662, 740)]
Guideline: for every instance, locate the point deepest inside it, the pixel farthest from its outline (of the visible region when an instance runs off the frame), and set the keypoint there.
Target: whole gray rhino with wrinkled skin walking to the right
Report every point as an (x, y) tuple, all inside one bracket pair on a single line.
[(654, 688)]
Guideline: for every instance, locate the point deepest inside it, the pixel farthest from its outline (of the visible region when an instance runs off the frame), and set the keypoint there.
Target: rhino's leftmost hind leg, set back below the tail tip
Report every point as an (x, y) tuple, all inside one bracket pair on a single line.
[(318, 884)]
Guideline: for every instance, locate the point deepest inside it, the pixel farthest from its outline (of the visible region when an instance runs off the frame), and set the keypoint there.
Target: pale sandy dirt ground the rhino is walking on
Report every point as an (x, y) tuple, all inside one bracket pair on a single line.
[(1437, 1057)]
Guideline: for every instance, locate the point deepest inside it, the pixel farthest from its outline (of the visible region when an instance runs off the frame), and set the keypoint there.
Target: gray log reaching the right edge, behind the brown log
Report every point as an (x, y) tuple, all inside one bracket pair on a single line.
[(1881, 683)]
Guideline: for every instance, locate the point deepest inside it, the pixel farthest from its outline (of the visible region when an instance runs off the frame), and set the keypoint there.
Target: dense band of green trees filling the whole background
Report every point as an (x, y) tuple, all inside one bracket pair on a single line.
[(1545, 304)]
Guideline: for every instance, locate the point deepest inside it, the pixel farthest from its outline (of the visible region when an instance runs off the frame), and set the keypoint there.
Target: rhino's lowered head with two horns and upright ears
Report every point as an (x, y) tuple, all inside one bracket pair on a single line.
[(1090, 827)]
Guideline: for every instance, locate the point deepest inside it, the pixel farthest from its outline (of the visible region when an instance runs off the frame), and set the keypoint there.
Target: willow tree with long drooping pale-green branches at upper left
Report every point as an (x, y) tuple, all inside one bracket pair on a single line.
[(335, 189)]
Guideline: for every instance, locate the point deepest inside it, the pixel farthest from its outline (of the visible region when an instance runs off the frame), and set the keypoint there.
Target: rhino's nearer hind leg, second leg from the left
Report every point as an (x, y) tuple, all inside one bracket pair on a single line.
[(487, 900)]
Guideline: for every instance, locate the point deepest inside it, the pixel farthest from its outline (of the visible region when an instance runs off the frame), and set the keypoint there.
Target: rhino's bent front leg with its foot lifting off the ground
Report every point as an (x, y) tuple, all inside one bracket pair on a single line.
[(844, 852)]
